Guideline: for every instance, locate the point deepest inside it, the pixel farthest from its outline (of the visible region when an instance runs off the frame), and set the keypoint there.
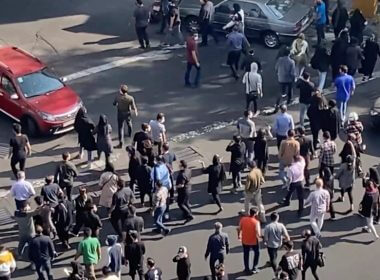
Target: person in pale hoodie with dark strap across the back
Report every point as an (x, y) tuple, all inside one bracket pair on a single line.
[(253, 87)]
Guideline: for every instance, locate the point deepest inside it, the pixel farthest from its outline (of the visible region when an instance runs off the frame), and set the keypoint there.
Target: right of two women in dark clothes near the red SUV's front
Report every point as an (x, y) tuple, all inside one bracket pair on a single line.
[(104, 139)]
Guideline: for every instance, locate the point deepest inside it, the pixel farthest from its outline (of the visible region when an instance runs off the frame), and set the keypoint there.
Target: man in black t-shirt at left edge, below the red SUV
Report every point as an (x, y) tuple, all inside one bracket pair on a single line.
[(19, 149)]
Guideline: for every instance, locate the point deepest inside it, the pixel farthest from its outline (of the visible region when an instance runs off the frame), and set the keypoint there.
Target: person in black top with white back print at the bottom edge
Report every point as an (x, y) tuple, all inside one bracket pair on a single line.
[(291, 261)]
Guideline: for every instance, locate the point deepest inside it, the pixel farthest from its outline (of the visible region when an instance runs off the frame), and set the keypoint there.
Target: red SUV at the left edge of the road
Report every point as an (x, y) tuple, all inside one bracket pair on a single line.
[(33, 96)]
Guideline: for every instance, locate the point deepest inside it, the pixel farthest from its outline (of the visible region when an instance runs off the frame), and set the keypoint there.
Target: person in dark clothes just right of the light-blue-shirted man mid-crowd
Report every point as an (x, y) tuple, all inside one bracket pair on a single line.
[(183, 186)]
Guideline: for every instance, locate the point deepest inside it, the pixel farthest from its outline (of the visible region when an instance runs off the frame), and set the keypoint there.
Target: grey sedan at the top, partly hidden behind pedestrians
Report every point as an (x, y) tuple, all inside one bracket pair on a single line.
[(272, 21)]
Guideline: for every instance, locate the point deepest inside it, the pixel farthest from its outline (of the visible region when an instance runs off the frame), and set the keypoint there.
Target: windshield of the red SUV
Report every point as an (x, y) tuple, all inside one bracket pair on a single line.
[(39, 83)]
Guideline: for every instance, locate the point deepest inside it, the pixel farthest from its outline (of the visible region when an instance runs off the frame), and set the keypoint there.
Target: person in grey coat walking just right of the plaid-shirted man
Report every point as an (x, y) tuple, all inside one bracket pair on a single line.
[(346, 177)]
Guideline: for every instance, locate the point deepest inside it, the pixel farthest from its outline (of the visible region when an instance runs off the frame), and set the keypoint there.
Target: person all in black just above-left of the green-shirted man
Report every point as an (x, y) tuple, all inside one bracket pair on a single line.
[(63, 218)]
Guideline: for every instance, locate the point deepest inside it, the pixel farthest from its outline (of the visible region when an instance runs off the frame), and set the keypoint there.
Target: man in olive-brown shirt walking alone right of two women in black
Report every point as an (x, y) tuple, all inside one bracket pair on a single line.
[(125, 104)]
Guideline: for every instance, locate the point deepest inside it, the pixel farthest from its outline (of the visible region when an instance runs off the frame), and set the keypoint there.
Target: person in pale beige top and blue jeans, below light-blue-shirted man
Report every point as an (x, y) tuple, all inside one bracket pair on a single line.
[(160, 199)]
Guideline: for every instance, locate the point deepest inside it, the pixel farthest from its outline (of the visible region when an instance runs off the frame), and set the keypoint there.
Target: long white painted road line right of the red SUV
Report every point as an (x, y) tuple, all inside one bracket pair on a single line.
[(152, 55)]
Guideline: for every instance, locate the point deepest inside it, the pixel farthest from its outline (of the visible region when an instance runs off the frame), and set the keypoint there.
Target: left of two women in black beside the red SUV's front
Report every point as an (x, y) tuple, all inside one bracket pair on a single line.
[(84, 126)]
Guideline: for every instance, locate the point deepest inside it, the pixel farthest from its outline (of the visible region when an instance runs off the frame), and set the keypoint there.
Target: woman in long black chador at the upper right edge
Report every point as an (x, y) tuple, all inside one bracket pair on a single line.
[(370, 53)]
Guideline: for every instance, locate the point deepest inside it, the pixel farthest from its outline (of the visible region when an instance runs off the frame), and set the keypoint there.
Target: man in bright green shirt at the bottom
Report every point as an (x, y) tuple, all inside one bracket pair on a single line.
[(90, 249)]
